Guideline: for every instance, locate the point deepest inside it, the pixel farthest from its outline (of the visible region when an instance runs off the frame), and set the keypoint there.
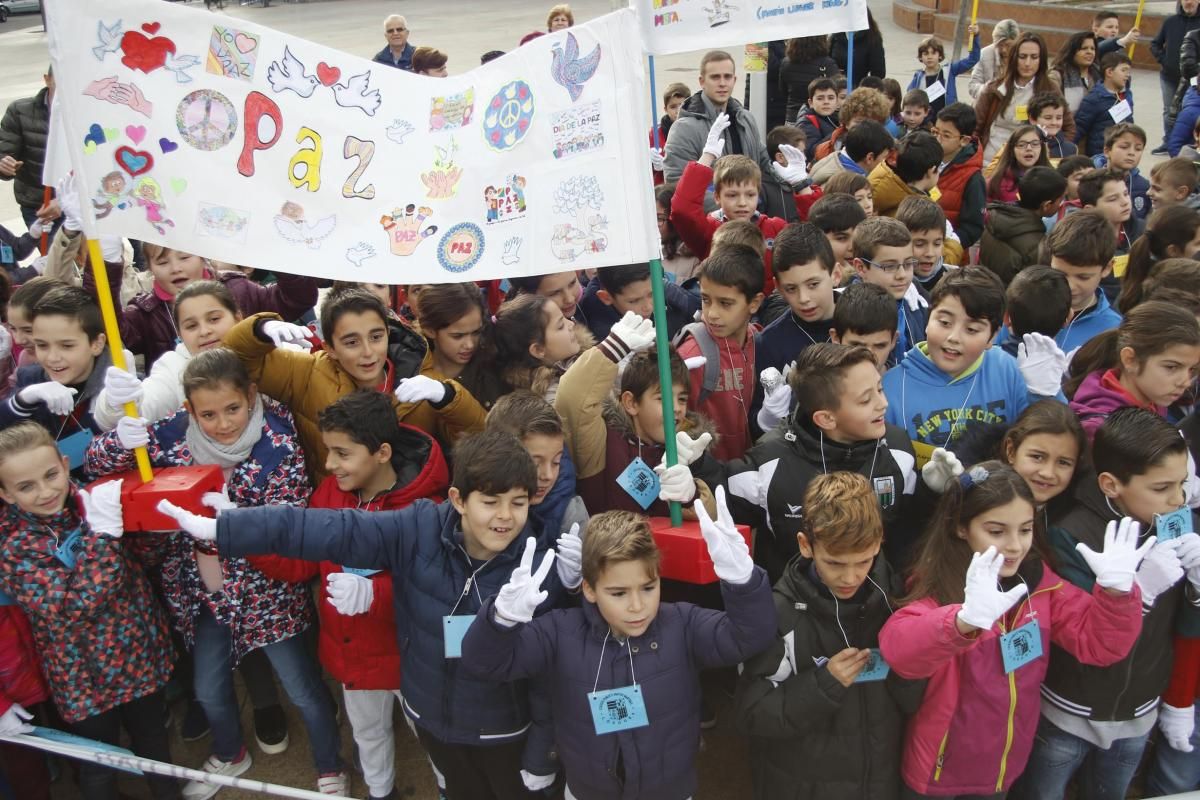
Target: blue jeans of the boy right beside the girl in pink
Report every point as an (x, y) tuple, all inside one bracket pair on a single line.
[(1058, 756)]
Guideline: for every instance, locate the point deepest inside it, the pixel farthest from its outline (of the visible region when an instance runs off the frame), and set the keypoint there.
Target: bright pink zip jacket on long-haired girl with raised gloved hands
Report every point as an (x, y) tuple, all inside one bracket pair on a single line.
[(974, 732)]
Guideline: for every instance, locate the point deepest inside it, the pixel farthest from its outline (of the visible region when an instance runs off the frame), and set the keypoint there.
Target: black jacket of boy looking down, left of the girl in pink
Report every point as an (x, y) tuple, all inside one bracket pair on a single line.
[(811, 737)]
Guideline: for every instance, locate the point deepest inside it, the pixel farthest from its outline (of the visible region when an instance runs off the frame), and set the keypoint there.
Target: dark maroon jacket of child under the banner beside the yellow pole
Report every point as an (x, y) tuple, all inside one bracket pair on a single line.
[(148, 328)]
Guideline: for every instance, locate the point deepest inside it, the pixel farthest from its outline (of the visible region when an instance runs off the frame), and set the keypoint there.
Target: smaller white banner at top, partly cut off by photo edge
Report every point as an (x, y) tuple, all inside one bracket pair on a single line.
[(682, 26)]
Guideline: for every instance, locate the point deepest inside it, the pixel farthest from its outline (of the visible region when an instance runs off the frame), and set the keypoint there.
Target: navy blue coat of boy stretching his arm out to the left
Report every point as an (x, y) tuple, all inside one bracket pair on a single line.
[(422, 546)]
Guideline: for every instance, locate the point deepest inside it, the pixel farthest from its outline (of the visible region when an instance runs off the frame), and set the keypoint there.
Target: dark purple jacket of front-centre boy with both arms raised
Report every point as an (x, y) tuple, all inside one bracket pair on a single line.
[(567, 648)]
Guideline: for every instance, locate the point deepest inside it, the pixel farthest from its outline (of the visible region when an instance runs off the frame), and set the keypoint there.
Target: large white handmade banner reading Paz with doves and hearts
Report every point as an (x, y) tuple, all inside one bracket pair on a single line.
[(241, 143)]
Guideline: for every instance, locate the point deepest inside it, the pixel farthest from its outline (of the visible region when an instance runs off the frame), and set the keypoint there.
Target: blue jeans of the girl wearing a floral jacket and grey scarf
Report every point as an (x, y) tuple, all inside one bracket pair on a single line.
[(213, 655)]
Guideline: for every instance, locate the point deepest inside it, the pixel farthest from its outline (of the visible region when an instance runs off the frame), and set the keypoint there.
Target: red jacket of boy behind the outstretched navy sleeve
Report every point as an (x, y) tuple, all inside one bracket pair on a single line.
[(362, 652)]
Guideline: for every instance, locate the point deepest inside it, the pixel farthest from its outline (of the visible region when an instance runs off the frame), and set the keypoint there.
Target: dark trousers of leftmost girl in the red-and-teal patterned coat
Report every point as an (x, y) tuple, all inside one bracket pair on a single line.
[(146, 720)]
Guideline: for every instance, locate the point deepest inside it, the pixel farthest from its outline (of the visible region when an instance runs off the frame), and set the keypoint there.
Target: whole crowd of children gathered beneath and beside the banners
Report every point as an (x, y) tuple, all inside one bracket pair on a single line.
[(951, 393)]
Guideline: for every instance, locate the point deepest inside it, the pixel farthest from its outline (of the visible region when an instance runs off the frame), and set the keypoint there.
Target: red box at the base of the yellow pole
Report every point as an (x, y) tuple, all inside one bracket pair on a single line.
[(184, 486)]
